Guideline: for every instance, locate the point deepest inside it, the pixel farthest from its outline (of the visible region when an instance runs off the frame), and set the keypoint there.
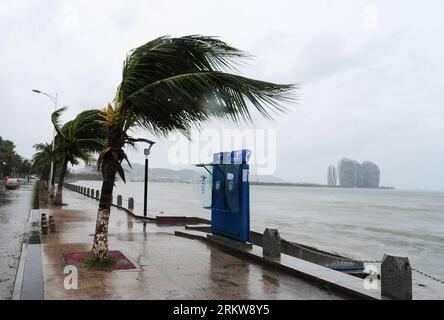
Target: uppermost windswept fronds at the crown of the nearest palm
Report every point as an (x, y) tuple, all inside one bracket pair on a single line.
[(165, 57)]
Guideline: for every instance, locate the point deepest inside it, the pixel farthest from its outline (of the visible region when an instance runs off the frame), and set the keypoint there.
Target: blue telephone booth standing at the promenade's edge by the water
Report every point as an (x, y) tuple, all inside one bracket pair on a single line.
[(230, 194)]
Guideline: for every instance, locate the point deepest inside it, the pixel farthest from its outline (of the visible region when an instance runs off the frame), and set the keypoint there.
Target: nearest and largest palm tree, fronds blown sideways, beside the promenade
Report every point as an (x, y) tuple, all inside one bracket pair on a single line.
[(174, 85)]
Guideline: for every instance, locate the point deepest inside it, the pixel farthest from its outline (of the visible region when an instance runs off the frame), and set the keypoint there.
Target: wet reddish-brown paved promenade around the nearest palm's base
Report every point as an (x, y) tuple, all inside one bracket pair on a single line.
[(167, 267)]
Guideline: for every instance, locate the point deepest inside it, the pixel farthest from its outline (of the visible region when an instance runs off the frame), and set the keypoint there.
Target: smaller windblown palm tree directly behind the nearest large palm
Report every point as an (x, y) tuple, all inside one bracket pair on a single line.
[(77, 139)]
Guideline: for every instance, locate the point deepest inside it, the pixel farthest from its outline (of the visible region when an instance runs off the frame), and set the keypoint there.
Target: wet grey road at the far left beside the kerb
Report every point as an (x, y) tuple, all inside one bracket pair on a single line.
[(15, 206)]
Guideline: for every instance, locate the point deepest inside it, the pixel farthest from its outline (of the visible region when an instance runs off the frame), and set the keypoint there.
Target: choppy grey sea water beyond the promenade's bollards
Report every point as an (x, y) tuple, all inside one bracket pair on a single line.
[(360, 223)]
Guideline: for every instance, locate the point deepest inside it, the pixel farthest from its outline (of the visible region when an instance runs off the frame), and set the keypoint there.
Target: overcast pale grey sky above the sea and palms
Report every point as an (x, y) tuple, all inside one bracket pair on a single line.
[(370, 73)]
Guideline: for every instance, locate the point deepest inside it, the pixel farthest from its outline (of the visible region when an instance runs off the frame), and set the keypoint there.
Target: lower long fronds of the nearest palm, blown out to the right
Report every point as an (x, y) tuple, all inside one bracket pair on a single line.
[(195, 97)]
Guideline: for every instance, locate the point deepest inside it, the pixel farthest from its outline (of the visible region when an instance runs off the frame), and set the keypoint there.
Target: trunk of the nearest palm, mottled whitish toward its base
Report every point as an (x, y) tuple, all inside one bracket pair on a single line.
[(100, 245)]
